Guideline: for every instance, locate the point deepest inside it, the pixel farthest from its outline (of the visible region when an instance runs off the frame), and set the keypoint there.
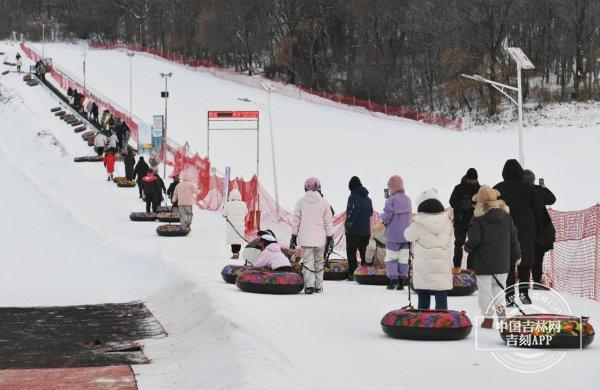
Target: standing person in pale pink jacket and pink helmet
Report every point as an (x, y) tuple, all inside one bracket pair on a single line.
[(312, 229)]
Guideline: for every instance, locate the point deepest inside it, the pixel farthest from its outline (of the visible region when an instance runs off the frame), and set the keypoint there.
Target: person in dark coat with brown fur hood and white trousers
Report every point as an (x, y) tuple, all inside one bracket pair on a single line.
[(493, 241)]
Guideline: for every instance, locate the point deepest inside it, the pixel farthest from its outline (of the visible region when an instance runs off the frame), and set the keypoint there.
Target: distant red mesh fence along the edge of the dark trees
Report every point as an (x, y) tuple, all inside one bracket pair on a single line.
[(216, 70)]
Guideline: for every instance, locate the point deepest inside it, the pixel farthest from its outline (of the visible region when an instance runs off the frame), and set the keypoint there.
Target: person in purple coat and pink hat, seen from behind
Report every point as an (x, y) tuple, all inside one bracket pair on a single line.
[(396, 216)]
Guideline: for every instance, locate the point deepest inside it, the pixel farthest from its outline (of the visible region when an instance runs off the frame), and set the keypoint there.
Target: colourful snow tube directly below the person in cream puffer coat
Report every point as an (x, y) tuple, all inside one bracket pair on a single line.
[(415, 324)]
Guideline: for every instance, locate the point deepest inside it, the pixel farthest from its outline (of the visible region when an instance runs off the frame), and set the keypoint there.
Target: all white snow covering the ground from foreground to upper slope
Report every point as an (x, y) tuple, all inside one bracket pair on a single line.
[(70, 239)]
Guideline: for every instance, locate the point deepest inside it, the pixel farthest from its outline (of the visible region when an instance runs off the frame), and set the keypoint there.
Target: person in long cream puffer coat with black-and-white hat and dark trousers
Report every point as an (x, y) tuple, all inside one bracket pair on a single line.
[(430, 234)]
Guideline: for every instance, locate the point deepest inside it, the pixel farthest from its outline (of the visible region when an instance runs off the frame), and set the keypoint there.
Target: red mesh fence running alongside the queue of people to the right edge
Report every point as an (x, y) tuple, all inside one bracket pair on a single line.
[(573, 266)]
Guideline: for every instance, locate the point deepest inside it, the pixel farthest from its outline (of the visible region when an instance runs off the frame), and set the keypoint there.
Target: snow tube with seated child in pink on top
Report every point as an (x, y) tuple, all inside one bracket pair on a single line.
[(269, 282)]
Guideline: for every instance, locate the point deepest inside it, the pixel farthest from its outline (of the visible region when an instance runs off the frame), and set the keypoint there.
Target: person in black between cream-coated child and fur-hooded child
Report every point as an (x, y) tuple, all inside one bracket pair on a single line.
[(462, 203)]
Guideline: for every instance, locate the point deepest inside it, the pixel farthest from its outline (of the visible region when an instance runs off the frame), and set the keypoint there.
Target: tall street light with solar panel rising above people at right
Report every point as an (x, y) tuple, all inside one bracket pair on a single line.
[(522, 63)]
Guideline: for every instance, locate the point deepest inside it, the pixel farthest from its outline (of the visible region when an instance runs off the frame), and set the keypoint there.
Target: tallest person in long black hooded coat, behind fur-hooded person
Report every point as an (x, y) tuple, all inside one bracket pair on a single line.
[(525, 205)]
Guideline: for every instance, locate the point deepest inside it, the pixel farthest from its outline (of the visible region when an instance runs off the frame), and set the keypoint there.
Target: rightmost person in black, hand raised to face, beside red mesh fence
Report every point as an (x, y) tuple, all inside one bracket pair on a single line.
[(545, 237)]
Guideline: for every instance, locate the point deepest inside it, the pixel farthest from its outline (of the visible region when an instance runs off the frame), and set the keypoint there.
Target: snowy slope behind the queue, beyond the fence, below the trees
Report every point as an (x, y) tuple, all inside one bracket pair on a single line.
[(334, 144)]
